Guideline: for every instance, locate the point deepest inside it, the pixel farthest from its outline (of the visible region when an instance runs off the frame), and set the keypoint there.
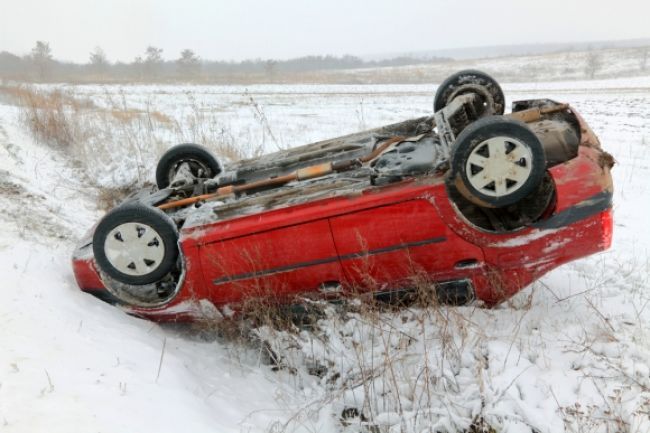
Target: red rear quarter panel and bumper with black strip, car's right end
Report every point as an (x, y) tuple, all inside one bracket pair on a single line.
[(581, 225)]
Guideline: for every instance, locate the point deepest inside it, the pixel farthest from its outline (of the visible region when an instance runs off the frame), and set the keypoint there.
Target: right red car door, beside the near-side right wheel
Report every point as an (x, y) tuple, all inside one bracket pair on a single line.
[(398, 245)]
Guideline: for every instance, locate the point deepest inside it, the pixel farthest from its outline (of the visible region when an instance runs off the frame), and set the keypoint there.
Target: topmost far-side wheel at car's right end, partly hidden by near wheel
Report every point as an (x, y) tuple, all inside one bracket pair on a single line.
[(491, 99)]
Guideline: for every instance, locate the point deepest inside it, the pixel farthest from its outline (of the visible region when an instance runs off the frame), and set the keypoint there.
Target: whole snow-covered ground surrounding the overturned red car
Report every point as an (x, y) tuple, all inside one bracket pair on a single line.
[(571, 353)]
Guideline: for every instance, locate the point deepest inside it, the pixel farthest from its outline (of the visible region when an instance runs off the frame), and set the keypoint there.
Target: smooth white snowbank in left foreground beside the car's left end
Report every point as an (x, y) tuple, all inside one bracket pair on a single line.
[(71, 363)]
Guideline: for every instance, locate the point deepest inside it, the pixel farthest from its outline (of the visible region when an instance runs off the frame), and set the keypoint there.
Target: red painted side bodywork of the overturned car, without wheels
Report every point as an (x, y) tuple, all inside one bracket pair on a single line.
[(382, 239)]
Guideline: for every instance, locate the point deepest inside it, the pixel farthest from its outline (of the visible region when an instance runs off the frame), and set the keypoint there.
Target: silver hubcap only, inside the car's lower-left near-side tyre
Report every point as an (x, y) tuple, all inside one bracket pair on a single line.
[(134, 249)]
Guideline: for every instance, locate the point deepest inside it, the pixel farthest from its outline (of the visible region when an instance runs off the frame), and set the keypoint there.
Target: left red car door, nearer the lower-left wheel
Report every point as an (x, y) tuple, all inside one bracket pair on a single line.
[(279, 262)]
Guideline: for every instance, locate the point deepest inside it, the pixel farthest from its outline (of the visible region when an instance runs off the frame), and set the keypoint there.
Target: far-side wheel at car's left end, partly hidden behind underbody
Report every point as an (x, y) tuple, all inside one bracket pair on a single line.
[(201, 162)]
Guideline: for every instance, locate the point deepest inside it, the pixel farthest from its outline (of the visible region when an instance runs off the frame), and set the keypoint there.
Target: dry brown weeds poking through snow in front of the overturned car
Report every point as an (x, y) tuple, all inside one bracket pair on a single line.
[(405, 366)]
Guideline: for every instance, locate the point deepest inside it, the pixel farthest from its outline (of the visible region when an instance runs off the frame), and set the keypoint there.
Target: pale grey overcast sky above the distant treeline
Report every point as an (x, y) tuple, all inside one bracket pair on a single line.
[(239, 29)]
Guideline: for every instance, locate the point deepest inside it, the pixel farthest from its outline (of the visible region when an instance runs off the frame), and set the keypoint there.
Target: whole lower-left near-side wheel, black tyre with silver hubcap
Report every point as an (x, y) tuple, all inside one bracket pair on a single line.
[(136, 244)]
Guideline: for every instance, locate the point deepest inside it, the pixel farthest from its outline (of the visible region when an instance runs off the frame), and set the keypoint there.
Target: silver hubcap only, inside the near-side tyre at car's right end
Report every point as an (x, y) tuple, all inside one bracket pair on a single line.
[(499, 166)]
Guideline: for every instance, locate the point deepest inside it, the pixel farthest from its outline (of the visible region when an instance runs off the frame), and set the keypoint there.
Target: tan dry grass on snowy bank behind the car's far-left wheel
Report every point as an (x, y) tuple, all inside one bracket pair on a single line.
[(116, 144)]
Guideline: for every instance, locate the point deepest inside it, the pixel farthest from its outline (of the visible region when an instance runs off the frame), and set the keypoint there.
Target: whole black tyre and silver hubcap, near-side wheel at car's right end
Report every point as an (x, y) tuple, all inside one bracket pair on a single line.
[(496, 161)]
